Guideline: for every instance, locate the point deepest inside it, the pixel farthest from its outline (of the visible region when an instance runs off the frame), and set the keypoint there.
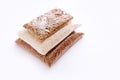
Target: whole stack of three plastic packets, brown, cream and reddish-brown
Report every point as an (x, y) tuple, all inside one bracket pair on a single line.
[(49, 36)]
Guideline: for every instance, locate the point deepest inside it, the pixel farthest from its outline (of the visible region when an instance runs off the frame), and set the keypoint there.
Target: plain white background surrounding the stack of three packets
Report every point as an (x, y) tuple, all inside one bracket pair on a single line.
[(95, 57)]
